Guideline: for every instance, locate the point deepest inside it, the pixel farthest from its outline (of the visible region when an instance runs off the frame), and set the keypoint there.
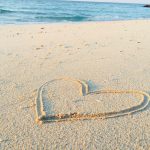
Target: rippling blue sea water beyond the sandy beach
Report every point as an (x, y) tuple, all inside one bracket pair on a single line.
[(47, 11)]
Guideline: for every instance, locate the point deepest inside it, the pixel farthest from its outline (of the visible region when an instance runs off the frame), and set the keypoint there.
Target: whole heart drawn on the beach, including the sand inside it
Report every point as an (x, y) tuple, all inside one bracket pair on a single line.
[(65, 99)]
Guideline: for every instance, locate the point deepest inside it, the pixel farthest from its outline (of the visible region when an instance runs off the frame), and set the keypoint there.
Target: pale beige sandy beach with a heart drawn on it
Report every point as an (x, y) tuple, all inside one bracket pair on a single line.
[(111, 58)]
